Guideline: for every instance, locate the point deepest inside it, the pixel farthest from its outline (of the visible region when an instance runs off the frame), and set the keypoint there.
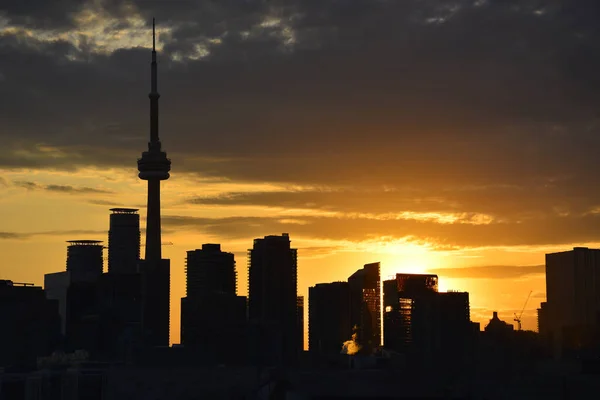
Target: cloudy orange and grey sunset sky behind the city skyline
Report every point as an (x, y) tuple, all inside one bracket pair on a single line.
[(452, 137)]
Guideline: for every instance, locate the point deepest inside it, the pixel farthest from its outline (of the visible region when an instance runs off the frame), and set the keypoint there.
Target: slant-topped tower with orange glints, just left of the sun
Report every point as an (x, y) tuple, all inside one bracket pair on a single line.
[(365, 305)]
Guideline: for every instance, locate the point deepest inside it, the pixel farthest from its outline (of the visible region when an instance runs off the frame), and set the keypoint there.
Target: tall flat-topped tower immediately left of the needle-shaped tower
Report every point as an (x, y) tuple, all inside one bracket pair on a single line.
[(124, 241)]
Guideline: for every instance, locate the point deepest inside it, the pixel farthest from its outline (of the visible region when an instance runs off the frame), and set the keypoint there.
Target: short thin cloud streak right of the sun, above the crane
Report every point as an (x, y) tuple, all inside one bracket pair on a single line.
[(491, 272)]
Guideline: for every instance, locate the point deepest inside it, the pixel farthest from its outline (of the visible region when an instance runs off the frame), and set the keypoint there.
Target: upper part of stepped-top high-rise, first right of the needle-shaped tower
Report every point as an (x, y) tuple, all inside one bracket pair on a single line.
[(210, 270)]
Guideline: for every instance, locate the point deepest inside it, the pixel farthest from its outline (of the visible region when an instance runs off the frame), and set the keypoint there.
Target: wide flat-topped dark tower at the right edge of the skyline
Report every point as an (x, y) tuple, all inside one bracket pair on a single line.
[(573, 299)]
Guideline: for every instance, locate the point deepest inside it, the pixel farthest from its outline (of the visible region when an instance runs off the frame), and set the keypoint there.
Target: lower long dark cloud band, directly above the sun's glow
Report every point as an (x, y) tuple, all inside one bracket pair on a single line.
[(445, 237)]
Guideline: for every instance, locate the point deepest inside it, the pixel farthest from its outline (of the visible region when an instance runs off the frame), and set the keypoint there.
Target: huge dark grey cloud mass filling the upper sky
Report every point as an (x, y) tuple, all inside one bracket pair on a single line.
[(488, 108)]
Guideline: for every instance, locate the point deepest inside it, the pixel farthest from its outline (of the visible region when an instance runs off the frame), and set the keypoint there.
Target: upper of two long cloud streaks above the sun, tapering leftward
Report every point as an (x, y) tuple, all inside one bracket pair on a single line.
[(512, 203)]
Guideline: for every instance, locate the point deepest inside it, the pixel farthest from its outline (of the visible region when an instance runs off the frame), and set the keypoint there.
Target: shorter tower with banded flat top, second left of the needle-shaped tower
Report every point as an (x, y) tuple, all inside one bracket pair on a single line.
[(84, 260)]
